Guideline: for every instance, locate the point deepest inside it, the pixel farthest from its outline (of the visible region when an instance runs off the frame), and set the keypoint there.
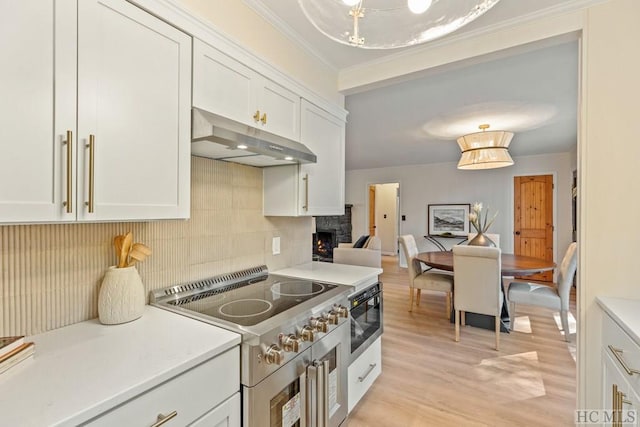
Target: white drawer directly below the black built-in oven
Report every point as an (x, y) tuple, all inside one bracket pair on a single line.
[(363, 372)]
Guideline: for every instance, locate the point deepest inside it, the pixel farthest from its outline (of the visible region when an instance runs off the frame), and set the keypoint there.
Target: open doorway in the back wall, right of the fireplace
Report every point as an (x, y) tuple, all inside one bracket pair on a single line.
[(383, 218)]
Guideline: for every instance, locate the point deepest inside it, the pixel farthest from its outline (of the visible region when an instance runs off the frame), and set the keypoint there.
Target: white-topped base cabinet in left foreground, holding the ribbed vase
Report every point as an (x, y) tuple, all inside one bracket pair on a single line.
[(128, 374)]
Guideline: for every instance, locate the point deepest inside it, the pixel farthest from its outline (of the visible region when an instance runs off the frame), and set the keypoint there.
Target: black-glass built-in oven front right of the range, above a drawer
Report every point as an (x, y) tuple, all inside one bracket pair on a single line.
[(366, 319)]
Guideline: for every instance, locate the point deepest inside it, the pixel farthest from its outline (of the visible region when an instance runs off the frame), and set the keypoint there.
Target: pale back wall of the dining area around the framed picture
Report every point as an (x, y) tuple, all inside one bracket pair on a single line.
[(421, 185)]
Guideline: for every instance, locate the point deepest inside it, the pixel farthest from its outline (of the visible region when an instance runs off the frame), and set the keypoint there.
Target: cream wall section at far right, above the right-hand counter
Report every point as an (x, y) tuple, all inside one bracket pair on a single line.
[(608, 175)]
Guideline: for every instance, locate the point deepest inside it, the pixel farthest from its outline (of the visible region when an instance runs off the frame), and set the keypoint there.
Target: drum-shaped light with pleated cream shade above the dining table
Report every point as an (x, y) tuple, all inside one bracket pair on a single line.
[(485, 150)]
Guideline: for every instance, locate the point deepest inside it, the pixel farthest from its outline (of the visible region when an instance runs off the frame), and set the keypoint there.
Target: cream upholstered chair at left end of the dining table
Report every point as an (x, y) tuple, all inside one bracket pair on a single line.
[(419, 280)]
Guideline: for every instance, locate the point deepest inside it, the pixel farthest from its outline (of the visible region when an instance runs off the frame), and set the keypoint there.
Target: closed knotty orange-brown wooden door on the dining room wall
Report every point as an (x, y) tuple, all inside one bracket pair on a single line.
[(533, 219)]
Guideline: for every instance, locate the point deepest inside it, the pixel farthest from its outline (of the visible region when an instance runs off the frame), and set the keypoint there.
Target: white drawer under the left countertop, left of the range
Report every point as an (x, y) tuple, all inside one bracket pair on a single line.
[(191, 394)]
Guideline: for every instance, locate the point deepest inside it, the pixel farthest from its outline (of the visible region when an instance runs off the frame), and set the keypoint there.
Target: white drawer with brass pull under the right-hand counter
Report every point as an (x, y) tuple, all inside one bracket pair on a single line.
[(629, 351)]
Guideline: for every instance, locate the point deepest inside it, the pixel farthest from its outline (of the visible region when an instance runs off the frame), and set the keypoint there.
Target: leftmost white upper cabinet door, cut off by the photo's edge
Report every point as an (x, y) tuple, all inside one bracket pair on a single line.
[(37, 45)]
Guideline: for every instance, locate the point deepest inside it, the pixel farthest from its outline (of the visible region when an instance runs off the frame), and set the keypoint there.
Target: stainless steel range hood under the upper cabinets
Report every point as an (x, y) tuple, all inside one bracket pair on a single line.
[(218, 137)]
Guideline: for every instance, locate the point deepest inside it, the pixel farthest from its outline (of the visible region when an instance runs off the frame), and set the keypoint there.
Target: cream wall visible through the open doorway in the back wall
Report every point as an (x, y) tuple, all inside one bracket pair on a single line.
[(386, 197)]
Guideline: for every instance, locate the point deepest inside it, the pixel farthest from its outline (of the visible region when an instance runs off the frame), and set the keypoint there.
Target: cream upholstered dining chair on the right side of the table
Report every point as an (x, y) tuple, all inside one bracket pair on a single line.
[(555, 297)]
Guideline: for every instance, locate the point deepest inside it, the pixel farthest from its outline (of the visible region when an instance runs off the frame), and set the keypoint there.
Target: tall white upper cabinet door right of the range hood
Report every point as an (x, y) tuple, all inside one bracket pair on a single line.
[(323, 190)]
